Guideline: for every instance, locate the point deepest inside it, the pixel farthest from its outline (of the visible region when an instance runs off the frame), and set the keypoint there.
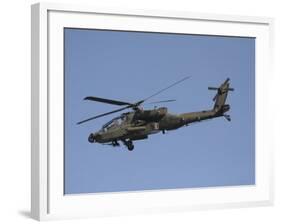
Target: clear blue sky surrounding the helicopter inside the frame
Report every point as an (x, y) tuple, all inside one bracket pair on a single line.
[(130, 66)]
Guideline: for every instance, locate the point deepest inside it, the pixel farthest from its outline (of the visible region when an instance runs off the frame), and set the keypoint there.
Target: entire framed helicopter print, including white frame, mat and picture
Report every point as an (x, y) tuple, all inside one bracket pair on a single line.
[(148, 111)]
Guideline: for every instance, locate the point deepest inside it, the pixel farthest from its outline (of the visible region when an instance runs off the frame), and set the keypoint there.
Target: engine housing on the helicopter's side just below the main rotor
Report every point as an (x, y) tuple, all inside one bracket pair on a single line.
[(151, 115)]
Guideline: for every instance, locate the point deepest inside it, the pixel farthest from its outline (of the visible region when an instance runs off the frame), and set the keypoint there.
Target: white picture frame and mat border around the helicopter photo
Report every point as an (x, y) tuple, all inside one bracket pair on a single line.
[(48, 200)]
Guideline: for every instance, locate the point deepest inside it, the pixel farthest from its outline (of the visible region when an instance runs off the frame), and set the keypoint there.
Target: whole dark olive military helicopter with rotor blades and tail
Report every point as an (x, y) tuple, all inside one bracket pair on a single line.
[(139, 123)]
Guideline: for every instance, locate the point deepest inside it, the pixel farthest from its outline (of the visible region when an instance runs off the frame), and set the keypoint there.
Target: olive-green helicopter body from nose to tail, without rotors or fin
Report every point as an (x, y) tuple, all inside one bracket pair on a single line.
[(137, 126)]
